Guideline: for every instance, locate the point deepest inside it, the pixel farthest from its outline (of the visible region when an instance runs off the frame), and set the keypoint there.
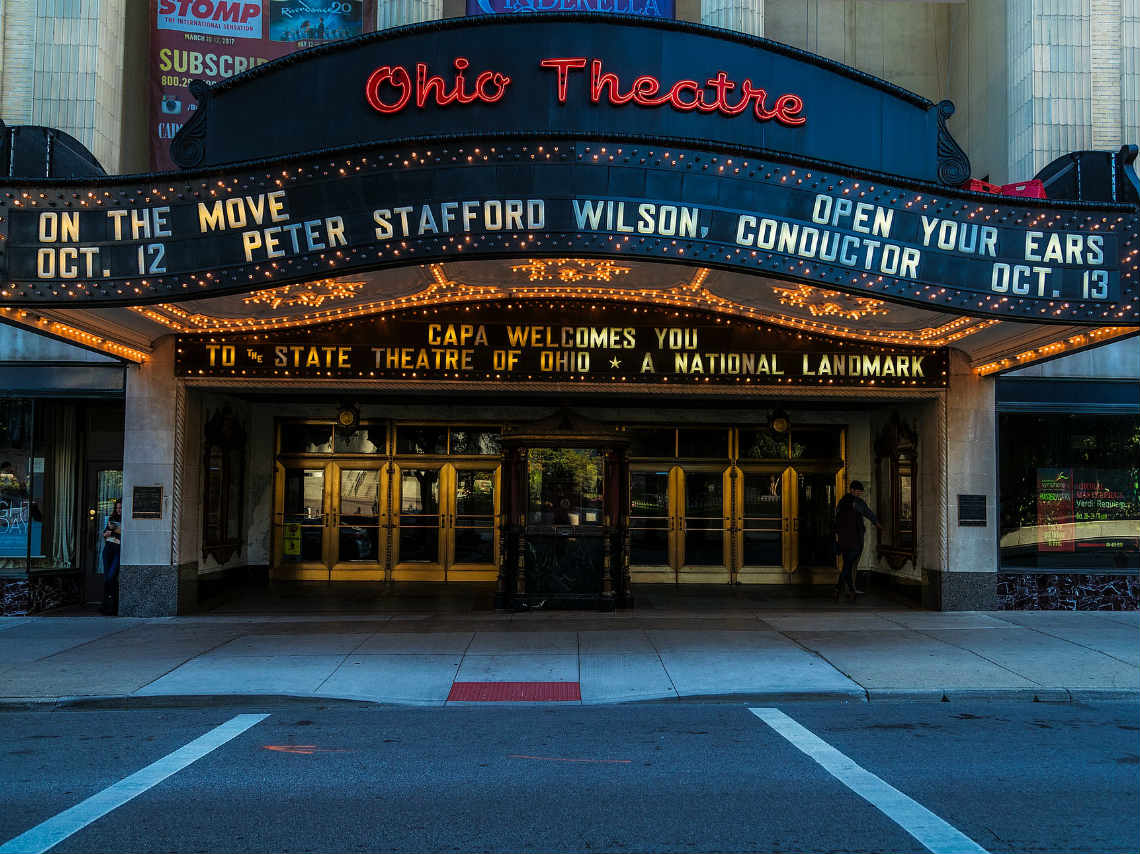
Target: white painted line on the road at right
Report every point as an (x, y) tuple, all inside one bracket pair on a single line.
[(932, 832)]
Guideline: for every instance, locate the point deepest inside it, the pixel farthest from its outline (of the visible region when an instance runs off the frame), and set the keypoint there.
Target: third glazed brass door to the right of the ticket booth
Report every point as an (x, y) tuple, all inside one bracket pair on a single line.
[(766, 546)]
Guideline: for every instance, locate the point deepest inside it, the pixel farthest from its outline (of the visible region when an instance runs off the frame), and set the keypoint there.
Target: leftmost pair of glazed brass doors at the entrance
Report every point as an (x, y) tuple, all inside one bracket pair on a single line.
[(330, 520)]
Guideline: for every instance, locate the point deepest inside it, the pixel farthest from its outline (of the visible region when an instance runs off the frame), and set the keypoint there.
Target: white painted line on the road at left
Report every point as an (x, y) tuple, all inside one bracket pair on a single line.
[(56, 829)]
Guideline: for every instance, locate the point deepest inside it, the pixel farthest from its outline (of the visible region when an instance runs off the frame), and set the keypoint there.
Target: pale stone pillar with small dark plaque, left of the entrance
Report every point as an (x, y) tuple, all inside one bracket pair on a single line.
[(149, 576)]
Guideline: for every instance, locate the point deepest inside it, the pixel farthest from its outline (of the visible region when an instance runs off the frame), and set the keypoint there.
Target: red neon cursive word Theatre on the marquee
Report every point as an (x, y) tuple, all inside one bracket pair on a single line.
[(685, 96)]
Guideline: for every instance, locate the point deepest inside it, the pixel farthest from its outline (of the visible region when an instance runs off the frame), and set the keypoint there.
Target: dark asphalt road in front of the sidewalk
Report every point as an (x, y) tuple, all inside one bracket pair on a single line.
[(1011, 777)]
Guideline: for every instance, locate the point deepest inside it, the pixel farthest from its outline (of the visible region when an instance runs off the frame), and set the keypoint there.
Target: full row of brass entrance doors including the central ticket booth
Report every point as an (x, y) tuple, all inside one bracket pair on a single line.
[(637, 505)]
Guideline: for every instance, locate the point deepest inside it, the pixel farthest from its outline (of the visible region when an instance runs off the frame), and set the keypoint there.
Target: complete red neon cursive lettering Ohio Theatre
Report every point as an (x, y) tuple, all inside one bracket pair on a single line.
[(392, 88)]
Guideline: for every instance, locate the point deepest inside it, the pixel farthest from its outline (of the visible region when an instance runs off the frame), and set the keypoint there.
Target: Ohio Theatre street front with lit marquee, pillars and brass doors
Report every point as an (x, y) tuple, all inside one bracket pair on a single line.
[(567, 308)]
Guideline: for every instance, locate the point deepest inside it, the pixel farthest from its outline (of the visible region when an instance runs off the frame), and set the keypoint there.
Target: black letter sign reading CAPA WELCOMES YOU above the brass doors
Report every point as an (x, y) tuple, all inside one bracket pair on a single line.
[(559, 341)]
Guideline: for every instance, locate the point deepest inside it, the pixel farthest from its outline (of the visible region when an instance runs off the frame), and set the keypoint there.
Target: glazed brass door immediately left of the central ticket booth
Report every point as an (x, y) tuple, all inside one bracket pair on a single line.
[(473, 524)]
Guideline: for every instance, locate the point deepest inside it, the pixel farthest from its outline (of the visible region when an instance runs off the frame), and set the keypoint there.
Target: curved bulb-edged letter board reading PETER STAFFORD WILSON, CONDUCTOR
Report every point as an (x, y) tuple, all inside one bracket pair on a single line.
[(118, 242)]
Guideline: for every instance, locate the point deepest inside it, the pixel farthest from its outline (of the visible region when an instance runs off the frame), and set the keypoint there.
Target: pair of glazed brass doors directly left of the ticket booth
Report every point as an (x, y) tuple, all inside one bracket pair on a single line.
[(446, 522)]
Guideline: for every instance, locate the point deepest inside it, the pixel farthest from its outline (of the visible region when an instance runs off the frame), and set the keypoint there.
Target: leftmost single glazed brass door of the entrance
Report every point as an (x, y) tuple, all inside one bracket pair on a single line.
[(302, 536)]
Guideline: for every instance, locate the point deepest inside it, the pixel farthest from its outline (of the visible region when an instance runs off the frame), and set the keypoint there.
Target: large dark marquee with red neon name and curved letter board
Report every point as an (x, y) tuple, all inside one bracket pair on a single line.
[(572, 135)]
